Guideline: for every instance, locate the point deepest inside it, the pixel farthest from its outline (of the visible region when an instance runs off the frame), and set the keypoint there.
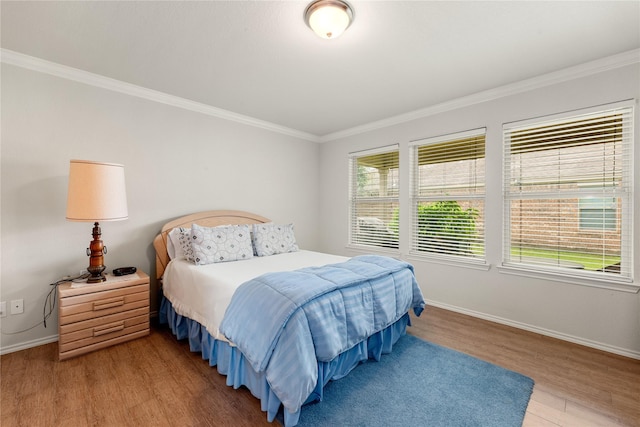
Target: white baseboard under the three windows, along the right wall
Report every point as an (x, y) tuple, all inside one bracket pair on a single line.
[(542, 331)]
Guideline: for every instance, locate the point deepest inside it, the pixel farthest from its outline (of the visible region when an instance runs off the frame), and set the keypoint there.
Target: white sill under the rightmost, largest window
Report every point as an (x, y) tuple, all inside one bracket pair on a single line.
[(621, 285)]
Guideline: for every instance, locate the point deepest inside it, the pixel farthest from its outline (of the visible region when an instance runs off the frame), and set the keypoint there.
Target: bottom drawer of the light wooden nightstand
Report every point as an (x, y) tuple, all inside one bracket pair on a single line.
[(108, 328)]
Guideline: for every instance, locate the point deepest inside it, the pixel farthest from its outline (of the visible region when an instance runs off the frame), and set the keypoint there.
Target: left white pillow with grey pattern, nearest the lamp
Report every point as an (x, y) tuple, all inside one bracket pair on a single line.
[(220, 244)]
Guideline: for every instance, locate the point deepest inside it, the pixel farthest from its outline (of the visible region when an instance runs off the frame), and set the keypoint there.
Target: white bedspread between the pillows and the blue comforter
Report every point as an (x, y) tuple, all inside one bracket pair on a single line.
[(203, 292)]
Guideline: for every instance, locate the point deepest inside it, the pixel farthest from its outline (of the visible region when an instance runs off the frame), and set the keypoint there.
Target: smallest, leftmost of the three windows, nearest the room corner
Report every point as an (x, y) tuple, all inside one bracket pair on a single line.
[(374, 208)]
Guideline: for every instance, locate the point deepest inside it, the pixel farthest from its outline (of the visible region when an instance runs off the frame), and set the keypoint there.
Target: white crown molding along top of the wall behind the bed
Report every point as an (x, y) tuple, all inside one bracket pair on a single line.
[(43, 66)]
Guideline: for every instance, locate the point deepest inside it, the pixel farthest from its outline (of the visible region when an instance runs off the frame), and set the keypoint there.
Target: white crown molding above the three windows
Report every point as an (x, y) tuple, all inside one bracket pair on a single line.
[(578, 71)]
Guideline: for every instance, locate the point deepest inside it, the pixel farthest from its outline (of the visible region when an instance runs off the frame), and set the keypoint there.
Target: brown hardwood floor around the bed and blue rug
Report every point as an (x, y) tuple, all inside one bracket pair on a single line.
[(157, 381)]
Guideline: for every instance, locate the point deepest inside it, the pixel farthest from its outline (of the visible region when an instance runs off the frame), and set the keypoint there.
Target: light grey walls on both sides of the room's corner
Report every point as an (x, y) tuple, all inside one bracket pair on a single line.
[(178, 162)]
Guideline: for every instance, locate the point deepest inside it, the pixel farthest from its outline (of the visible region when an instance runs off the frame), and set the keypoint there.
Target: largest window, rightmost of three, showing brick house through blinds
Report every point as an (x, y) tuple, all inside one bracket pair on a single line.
[(568, 194)]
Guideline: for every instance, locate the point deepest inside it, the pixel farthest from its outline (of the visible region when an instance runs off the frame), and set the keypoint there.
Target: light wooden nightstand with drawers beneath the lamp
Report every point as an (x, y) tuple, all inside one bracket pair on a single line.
[(94, 316)]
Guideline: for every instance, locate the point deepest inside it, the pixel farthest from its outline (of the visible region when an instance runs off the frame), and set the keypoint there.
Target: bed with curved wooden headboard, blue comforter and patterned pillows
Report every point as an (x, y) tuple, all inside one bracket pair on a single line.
[(249, 315)]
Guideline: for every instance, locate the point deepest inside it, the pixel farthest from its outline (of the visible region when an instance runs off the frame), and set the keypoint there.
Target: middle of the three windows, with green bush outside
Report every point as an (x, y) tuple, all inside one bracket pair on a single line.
[(447, 195)]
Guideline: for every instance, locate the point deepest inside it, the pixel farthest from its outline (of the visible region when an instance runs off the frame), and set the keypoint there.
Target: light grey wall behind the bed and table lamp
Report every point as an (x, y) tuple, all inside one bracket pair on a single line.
[(176, 162)]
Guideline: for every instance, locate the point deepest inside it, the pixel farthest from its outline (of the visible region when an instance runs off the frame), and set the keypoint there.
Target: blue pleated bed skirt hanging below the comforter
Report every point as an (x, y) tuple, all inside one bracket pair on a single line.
[(231, 362)]
